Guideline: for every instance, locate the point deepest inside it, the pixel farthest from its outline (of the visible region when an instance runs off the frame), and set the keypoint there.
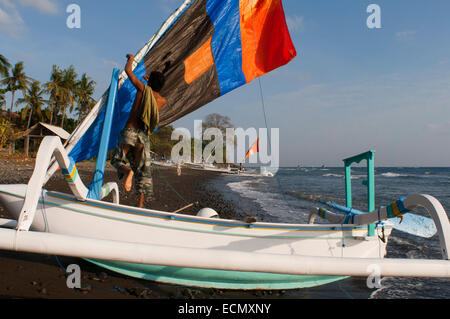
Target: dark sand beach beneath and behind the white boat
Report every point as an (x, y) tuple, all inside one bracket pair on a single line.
[(25, 275)]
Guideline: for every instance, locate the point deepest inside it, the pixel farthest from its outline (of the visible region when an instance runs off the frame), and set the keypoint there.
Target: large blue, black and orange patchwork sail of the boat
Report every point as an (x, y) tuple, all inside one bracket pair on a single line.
[(209, 48)]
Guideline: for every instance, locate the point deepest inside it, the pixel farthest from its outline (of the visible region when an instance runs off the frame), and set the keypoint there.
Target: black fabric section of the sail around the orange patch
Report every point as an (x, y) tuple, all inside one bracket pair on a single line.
[(186, 37)]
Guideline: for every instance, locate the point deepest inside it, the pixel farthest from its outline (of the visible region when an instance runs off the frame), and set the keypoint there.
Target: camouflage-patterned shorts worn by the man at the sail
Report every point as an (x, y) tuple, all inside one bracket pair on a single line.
[(143, 170)]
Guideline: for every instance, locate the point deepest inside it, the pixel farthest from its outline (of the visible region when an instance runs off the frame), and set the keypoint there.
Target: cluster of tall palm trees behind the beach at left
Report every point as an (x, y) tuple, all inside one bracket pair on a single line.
[(48, 102)]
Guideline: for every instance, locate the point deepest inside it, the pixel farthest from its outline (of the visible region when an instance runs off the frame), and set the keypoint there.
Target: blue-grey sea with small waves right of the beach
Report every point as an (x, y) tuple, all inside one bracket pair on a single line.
[(289, 195)]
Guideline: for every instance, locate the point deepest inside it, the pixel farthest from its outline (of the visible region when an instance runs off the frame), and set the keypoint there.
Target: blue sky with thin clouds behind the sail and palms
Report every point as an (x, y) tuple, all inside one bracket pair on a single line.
[(350, 89)]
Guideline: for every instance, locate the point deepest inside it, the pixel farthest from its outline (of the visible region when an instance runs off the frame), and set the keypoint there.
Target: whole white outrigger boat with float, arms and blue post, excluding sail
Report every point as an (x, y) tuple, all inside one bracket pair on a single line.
[(202, 250)]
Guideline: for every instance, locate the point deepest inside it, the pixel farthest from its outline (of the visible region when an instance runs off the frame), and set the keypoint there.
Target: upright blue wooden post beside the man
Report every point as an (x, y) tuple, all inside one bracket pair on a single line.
[(97, 183)]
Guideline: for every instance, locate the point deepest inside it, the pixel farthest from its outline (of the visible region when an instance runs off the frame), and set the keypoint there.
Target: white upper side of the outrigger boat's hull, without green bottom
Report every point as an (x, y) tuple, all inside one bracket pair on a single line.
[(64, 214)]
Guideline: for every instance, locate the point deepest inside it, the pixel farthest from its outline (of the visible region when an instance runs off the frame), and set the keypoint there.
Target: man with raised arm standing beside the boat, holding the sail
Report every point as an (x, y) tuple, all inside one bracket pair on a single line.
[(133, 144)]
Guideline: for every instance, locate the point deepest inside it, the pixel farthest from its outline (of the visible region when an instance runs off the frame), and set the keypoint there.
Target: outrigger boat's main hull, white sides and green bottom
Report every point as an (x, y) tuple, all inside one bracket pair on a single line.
[(63, 214)]
